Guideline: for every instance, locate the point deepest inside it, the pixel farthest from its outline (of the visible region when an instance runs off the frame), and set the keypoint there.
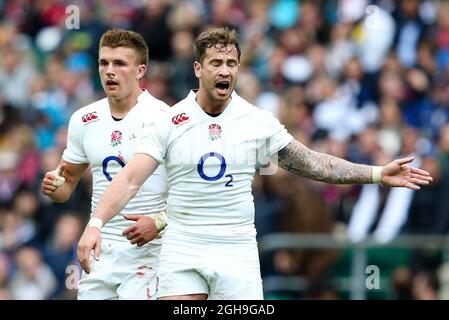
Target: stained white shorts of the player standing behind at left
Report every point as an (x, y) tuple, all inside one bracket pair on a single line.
[(123, 271)]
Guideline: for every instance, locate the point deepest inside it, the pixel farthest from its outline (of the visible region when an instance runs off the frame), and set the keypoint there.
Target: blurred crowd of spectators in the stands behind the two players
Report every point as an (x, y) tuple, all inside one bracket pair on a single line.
[(364, 80)]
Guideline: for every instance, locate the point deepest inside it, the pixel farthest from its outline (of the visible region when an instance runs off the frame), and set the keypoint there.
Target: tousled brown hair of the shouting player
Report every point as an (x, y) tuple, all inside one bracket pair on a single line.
[(217, 36)]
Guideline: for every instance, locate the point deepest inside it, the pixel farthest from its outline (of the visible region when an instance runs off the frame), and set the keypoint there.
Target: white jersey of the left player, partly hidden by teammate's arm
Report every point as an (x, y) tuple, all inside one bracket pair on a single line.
[(94, 137)]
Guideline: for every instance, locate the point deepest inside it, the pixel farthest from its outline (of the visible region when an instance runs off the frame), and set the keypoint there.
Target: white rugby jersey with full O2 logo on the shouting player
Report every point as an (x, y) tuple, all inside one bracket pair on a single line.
[(210, 163)]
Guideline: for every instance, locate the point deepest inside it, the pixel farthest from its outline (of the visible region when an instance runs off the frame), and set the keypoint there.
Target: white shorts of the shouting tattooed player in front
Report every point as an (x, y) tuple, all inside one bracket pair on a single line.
[(223, 271)]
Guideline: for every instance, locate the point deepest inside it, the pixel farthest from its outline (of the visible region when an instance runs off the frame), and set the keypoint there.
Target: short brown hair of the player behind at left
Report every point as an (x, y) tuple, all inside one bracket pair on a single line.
[(115, 38)]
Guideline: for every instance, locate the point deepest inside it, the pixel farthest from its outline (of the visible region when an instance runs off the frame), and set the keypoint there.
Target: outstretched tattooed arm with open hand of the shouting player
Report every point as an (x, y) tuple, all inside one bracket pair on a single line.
[(299, 159)]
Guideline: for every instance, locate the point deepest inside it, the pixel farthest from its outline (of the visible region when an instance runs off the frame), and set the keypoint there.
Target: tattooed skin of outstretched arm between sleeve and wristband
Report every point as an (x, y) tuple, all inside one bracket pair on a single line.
[(299, 159)]
